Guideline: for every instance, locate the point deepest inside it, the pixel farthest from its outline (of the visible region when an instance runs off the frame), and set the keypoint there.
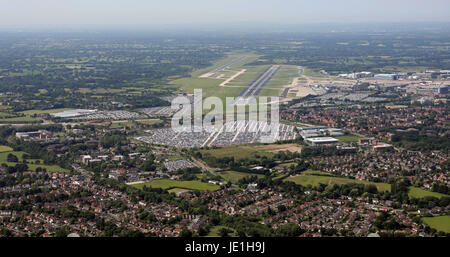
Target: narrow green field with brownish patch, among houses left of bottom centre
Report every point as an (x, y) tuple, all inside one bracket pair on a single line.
[(170, 184)]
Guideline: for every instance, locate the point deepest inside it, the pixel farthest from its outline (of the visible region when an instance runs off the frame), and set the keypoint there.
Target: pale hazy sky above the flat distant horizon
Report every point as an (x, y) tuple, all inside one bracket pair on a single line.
[(151, 12)]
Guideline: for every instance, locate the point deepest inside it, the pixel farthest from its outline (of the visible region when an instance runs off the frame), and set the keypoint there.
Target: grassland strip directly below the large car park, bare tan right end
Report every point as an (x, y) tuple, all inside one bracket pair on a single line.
[(250, 151)]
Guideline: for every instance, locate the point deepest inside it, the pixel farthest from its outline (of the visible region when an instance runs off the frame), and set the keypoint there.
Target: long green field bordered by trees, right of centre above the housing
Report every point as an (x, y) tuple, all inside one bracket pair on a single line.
[(316, 180)]
